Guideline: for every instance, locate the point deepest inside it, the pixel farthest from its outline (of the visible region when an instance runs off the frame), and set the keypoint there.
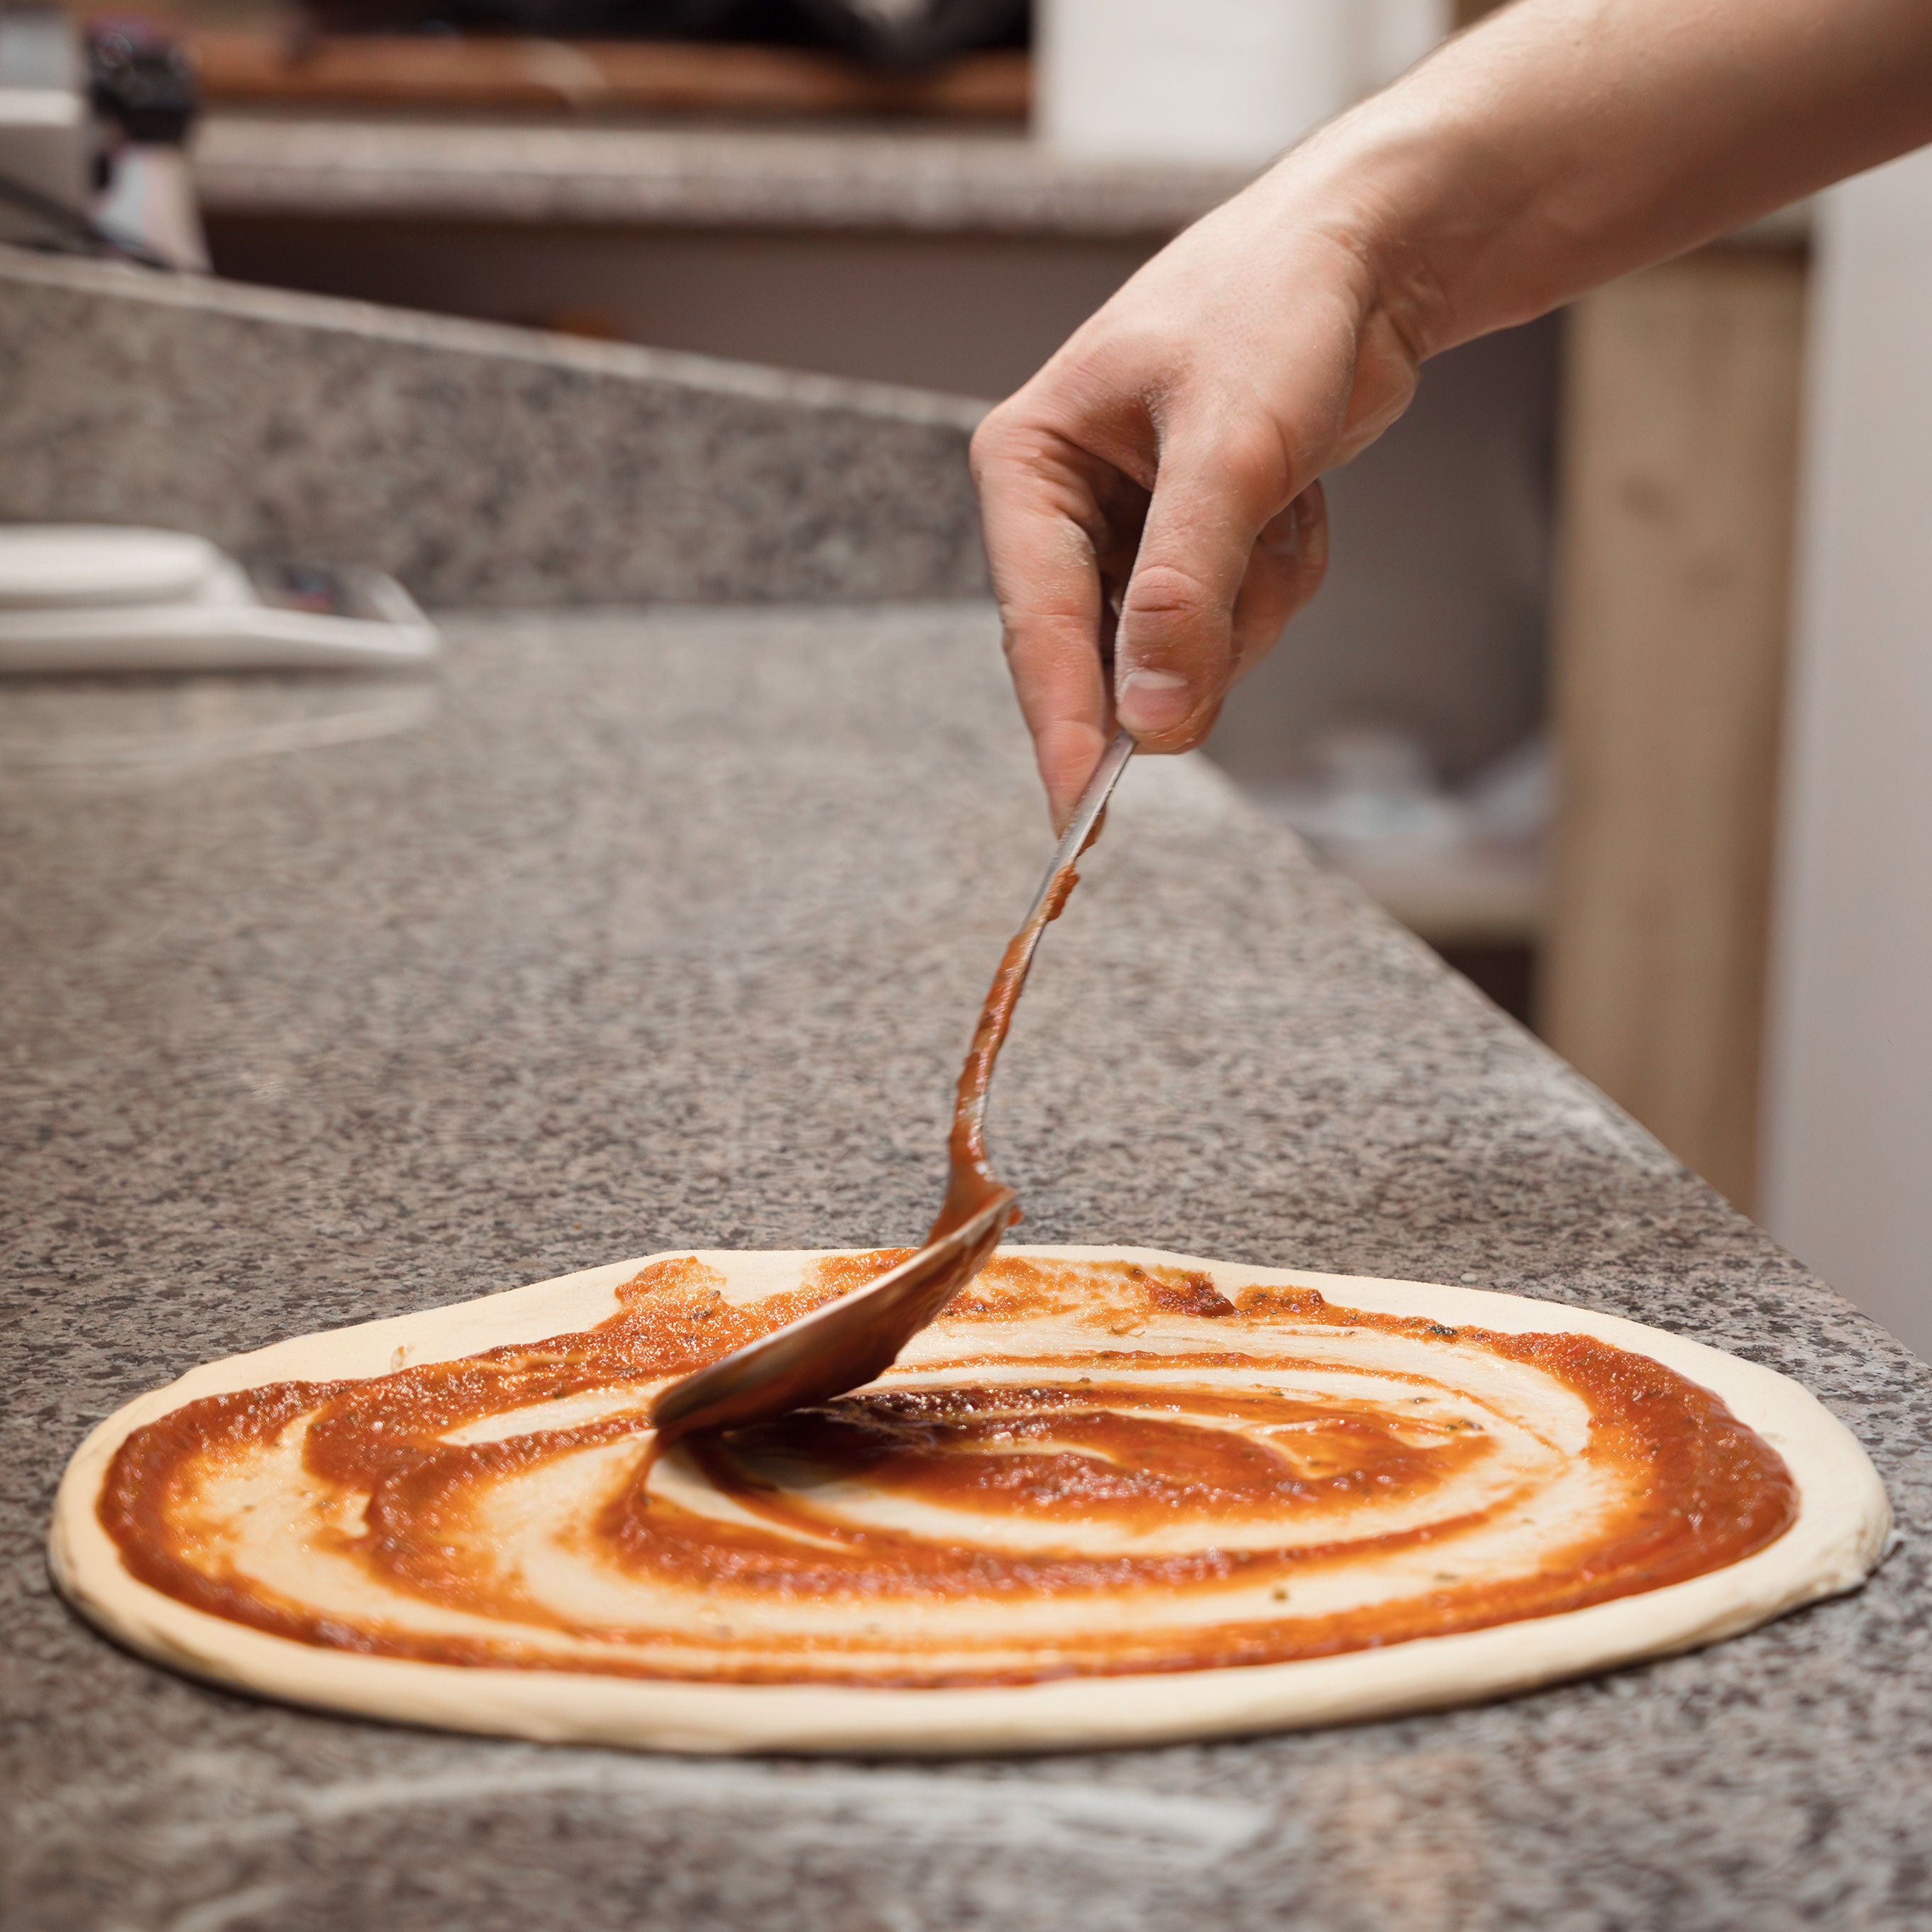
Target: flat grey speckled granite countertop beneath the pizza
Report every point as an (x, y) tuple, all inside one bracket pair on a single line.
[(623, 934)]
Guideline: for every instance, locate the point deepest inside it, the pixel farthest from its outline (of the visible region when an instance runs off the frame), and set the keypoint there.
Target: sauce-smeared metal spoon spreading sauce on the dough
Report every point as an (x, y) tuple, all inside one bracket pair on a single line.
[(849, 1342)]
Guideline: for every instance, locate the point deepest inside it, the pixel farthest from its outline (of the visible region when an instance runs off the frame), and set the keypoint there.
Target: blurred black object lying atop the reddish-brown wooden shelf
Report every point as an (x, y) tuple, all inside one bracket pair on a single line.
[(894, 34)]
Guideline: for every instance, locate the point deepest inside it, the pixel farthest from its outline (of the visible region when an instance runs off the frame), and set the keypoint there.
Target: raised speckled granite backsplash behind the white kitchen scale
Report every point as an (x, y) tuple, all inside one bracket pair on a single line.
[(480, 465)]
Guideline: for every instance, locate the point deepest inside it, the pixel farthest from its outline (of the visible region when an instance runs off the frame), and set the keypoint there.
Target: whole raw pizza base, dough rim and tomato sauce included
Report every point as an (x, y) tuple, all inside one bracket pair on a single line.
[(1114, 1496)]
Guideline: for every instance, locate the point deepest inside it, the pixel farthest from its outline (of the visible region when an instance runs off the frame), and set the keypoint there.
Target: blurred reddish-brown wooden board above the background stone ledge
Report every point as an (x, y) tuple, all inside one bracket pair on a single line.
[(594, 76)]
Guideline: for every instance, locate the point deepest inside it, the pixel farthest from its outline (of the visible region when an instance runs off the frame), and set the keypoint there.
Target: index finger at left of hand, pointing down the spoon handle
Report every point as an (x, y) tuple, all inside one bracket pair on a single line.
[(1044, 538)]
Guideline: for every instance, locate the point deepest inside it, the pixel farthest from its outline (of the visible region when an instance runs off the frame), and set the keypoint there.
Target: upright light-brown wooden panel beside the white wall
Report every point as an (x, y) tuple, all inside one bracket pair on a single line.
[(1680, 455)]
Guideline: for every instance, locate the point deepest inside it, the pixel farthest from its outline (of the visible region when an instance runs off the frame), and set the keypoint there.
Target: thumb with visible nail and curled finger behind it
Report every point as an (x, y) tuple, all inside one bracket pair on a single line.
[(1222, 567)]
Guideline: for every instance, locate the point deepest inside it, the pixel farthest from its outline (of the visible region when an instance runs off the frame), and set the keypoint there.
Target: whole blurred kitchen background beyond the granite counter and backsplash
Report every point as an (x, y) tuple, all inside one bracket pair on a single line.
[(1620, 689)]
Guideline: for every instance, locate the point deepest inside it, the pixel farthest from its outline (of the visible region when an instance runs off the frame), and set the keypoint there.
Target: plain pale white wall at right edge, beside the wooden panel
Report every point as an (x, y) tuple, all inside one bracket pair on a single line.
[(1850, 1131)]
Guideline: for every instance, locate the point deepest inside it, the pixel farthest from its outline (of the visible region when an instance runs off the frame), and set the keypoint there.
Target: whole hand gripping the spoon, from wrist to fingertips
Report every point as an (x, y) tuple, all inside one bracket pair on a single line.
[(1152, 503)]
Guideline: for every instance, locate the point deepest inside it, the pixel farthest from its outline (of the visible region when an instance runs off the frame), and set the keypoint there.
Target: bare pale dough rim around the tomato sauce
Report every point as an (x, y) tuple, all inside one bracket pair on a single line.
[(1838, 1539)]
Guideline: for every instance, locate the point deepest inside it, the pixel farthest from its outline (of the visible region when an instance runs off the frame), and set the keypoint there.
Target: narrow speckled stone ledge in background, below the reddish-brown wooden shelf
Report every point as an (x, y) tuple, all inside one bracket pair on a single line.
[(689, 177)]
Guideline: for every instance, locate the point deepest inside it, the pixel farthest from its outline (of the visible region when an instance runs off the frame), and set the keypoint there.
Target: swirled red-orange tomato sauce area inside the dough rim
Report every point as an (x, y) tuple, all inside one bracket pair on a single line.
[(1081, 1469)]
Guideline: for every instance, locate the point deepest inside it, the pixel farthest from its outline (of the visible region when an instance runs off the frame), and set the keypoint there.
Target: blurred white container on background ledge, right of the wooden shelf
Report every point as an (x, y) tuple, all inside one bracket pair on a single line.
[(1191, 80)]
